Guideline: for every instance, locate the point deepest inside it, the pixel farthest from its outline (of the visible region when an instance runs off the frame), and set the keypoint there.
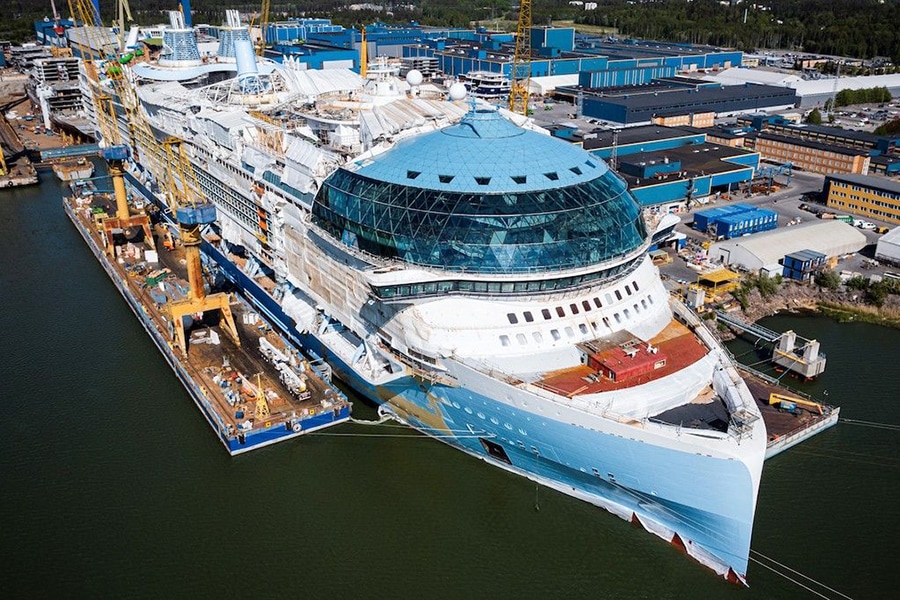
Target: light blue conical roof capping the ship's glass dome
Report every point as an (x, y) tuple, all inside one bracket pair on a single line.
[(485, 154)]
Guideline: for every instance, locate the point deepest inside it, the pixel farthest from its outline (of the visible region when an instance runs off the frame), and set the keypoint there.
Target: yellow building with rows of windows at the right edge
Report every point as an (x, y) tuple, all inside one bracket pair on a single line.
[(868, 196)]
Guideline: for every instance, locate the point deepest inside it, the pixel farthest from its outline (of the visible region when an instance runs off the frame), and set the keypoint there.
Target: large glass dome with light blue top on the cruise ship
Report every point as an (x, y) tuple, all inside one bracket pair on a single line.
[(483, 196)]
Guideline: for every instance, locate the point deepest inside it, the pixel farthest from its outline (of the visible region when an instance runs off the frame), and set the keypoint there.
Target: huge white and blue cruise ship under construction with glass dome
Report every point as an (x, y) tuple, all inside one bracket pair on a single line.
[(478, 279)]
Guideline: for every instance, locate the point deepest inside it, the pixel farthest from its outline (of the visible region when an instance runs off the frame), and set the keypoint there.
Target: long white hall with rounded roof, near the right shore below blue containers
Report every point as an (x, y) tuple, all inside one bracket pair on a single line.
[(765, 252)]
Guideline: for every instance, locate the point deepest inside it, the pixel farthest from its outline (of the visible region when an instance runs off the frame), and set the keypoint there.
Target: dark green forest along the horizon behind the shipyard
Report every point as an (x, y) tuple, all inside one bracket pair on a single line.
[(857, 28)]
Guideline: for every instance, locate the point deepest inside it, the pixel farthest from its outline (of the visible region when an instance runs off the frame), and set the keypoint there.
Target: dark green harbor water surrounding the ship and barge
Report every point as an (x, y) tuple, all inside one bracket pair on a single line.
[(113, 485)]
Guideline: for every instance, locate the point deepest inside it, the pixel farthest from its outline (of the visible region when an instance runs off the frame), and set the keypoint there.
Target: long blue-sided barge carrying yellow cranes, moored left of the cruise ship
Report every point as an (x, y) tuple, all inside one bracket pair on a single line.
[(258, 393)]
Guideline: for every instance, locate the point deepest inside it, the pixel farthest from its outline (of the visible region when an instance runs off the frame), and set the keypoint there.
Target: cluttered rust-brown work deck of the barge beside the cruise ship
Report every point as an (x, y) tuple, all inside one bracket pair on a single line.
[(224, 375)]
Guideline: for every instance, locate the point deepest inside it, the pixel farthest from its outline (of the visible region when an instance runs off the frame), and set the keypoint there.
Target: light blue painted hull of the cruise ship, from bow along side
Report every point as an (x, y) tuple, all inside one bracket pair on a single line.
[(717, 535)]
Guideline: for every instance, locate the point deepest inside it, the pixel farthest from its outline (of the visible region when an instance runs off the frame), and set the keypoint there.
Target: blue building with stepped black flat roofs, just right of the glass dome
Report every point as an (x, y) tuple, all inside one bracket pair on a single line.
[(669, 167)]
